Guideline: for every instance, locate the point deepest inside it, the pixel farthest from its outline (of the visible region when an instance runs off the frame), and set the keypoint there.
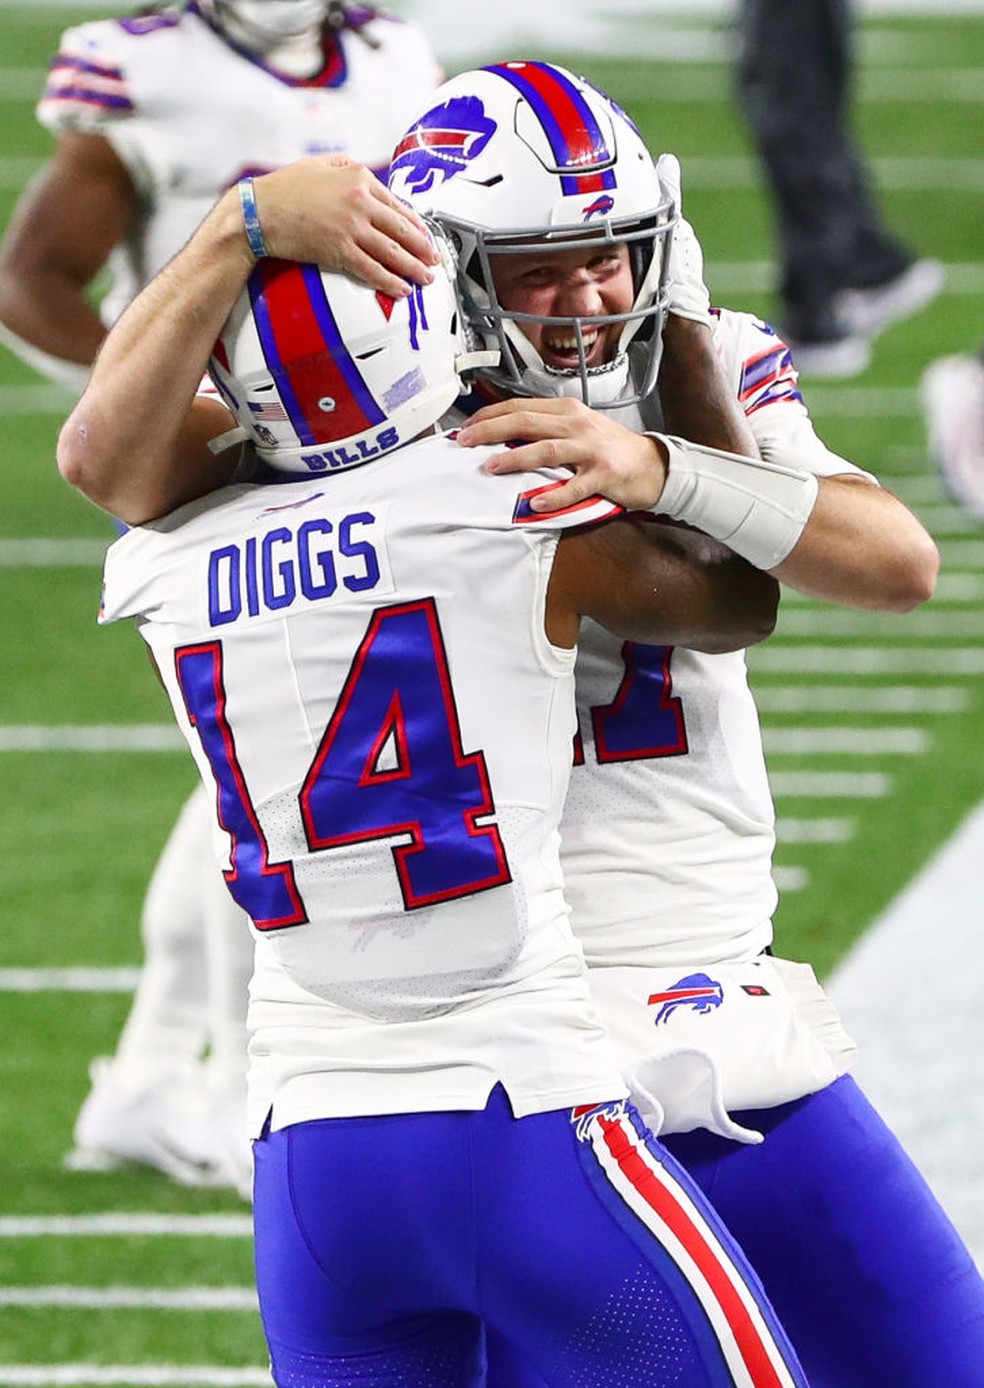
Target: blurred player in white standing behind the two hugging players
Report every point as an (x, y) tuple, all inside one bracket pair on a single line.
[(155, 116)]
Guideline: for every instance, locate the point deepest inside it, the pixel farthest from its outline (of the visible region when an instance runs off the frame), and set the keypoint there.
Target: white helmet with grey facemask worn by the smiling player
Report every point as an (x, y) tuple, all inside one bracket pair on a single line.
[(527, 156)]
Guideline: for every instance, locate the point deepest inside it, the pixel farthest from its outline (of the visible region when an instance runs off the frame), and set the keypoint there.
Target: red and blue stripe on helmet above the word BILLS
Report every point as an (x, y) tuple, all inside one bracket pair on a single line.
[(307, 356)]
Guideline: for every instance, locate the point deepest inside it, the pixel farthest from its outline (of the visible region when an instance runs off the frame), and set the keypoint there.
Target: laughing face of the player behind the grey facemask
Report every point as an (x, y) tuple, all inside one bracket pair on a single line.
[(574, 284)]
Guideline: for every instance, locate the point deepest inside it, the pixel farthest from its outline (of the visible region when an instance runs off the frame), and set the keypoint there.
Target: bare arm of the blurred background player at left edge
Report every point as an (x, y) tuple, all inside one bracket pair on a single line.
[(63, 230)]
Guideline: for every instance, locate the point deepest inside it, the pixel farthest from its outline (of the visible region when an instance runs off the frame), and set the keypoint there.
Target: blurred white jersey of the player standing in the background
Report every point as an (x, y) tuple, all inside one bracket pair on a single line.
[(189, 115)]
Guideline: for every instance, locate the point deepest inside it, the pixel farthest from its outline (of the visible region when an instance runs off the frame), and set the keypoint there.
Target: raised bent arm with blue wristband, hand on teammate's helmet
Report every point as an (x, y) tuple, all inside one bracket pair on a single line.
[(139, 442)]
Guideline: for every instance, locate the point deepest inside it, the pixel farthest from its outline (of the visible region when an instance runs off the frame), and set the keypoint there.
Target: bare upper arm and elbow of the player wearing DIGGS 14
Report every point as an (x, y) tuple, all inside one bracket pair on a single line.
[(661, 585)]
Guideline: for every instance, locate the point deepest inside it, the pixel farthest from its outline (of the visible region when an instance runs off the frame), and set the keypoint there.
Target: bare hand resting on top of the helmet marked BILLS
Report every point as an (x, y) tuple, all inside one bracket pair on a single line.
[(335, 213)]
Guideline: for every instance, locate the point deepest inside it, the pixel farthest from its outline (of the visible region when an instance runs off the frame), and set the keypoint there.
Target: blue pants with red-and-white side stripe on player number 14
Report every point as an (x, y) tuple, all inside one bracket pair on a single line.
[(385, 1246)]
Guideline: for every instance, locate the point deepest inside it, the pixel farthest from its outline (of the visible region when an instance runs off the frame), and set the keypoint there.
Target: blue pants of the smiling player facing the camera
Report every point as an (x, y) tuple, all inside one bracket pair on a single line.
[(861, 1264)]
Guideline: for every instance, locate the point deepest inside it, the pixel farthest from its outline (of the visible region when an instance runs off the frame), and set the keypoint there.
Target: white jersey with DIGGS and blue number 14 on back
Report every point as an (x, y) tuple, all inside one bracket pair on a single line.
[(360, 668)]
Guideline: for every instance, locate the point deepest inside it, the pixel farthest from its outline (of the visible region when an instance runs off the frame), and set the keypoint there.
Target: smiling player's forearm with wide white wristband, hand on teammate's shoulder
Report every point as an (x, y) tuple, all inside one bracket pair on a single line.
[(842, 539)]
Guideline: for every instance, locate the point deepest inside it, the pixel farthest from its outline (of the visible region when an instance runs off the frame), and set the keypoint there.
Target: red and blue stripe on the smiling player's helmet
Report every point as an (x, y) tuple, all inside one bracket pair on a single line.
[(578, 142)]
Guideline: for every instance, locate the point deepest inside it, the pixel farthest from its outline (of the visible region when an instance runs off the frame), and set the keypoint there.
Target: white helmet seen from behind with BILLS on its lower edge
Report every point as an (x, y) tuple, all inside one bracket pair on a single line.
[(324, 373)]
